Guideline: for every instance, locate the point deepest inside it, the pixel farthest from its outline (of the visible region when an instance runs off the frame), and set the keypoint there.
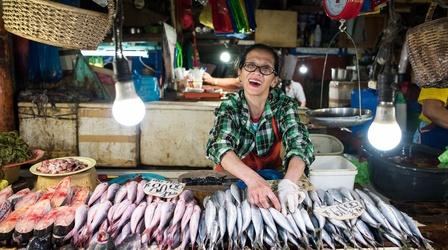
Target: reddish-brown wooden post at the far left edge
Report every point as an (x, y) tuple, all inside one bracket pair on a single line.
[(7, 121)]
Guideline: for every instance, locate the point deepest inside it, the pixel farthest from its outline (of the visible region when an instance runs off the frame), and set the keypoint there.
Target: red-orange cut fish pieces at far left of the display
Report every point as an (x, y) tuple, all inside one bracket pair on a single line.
[(27, 214)]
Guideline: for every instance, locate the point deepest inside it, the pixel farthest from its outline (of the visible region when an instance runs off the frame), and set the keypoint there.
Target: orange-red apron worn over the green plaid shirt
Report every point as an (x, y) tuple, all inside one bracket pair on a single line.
[(270, 160)]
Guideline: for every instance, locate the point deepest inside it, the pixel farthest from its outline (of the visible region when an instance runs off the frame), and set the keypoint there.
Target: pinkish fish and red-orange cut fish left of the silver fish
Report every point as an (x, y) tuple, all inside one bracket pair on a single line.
[(112, 217)]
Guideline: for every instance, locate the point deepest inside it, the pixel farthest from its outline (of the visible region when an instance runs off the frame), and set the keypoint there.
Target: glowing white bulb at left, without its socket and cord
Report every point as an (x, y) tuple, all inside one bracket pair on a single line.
[(128, 109)]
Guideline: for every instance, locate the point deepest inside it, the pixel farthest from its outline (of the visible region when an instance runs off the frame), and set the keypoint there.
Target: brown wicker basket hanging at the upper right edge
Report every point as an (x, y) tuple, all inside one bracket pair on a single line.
[(428, 51)]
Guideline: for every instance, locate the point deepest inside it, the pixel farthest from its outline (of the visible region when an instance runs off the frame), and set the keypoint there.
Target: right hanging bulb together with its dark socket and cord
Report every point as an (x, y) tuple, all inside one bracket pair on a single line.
[(384, 133)]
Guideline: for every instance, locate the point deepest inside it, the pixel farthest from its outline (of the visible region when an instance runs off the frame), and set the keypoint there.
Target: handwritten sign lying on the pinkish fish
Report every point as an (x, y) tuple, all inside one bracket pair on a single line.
[(163, 189)]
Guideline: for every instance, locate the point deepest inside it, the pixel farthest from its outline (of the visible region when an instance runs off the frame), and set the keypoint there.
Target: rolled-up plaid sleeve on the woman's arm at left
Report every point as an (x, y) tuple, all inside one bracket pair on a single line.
[(223, 135)]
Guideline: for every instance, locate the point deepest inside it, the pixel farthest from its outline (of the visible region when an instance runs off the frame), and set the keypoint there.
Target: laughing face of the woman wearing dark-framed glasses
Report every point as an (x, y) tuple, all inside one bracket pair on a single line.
[(256, 83)]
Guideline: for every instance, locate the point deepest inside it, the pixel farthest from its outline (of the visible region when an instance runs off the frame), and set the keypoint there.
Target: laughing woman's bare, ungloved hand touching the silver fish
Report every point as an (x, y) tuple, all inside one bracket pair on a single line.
[(261, 194)]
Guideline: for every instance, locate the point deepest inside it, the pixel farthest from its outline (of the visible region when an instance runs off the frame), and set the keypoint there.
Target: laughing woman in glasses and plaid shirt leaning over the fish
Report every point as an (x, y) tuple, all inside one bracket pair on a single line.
[(250, 127)]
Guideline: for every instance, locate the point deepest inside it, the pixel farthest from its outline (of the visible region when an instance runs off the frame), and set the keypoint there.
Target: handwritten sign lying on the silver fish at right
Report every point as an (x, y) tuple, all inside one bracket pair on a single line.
[(343, 211)]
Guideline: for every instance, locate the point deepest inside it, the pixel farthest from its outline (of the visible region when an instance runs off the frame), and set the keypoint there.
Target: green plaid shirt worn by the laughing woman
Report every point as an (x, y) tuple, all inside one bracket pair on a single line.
[(232, 129)]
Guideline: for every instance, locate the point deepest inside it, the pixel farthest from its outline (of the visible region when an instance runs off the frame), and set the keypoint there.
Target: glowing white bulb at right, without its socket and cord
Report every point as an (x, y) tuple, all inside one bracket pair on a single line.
[(384, 133)]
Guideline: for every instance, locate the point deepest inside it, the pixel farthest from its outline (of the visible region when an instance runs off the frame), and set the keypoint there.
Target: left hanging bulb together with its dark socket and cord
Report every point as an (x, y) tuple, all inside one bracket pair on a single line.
[(128, 109)]
